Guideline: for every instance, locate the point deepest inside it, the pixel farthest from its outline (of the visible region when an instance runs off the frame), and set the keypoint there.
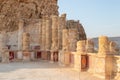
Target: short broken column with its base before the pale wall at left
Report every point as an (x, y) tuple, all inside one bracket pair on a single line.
[(26, 46)]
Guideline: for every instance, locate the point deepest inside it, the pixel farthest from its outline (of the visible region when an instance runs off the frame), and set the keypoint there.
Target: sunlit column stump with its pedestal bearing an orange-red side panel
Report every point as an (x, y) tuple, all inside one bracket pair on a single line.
[(80, 56)]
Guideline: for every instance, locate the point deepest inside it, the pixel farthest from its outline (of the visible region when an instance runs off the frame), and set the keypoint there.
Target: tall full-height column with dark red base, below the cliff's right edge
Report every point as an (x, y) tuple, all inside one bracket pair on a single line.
[(54, 48)]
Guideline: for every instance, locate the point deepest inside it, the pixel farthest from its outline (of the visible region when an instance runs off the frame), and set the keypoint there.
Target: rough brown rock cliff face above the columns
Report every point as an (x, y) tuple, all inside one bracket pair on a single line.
[(12, 10)]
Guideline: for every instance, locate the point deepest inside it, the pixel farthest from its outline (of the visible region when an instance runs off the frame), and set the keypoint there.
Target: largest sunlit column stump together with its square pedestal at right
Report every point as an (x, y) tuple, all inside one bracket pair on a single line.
[(105, 58)]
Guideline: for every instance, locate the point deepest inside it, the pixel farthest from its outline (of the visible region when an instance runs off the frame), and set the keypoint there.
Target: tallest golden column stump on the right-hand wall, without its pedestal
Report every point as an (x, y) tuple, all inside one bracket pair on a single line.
[(103, 45)]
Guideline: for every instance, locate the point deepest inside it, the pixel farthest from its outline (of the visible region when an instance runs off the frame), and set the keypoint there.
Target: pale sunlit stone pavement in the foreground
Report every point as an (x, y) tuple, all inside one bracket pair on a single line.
[(40, 70)]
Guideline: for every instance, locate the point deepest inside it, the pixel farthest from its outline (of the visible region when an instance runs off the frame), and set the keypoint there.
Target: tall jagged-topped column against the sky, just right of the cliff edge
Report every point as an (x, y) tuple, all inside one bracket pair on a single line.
[(61, 26)]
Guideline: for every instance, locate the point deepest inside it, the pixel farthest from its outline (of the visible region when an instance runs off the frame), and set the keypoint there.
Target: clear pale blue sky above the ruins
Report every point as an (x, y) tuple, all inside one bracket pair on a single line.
[(99, 17)]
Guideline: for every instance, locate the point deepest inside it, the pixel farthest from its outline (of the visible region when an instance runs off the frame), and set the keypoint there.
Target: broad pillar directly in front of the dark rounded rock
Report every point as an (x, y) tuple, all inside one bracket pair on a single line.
[(73, 38)]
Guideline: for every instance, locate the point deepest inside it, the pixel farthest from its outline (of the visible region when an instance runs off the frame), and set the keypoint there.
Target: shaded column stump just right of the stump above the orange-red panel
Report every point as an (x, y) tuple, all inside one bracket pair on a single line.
[(89, 46)]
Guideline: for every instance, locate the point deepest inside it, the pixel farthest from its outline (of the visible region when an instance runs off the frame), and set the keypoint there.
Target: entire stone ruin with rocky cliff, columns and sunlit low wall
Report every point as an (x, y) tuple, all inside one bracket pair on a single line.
[(38, 32)]
